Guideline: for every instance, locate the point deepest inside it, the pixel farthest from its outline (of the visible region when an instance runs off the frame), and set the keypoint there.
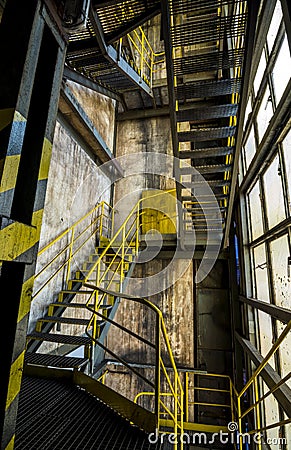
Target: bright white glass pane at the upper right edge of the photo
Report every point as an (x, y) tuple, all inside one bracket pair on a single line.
[(281, 74)]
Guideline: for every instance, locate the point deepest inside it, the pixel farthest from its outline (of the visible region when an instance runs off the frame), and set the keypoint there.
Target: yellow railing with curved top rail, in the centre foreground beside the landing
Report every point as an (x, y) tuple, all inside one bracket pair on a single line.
[(167, 382)]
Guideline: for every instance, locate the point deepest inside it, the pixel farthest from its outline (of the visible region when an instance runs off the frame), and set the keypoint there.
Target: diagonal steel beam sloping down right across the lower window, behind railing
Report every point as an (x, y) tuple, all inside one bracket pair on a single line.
[(270, 377)]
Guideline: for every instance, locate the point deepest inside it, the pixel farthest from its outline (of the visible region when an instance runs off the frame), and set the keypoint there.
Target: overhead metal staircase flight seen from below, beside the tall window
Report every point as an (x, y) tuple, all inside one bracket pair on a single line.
[(205, 52)]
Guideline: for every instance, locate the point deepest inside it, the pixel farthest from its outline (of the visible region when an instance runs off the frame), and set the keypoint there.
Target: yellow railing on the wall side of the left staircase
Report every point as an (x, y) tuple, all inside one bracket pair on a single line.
[(66, 246)]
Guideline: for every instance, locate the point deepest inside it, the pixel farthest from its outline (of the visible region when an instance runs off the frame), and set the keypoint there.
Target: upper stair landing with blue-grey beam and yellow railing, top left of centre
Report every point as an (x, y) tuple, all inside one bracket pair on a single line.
[(111, 50)]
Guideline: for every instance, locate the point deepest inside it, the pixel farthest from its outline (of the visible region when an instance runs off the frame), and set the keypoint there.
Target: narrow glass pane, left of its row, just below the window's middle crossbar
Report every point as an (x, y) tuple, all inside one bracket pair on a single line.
[(261, 274)]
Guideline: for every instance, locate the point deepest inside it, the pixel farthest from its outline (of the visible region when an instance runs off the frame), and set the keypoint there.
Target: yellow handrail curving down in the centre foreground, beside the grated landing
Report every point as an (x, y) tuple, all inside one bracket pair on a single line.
[(175, 389)]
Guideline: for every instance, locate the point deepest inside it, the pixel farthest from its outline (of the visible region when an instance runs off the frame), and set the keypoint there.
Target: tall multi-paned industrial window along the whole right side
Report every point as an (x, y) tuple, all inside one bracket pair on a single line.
[(267, 203)]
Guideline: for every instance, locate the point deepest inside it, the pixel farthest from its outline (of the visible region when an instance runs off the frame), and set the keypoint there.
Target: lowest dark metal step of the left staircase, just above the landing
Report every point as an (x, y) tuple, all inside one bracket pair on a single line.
[(44, 359)]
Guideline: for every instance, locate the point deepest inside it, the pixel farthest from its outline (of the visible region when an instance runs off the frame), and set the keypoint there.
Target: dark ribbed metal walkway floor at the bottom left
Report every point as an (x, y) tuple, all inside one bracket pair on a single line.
[(57, 415)]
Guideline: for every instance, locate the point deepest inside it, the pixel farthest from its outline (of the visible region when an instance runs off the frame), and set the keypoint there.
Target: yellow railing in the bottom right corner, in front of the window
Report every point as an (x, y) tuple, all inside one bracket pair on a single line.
[(252, 413)]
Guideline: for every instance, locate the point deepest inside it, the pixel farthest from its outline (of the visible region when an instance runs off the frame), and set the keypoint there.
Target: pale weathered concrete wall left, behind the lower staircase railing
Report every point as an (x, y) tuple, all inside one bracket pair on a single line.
[(74, 188)]
